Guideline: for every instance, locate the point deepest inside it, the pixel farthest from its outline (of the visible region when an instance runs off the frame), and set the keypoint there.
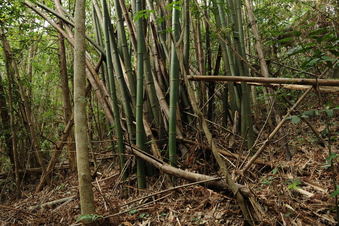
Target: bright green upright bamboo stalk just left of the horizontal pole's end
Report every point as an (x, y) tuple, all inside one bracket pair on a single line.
[(174, 88)]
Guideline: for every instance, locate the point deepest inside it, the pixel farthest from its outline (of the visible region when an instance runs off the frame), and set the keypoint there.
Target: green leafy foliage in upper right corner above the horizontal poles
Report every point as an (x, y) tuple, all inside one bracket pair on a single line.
[(302, 36)]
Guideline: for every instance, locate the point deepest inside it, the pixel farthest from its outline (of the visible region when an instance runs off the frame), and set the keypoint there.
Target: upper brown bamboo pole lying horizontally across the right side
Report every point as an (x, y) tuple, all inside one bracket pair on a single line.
[(262, 80)]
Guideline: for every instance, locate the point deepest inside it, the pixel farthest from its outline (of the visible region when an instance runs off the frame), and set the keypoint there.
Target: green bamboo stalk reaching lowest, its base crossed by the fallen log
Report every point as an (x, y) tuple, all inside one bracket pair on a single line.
[(140, 133)]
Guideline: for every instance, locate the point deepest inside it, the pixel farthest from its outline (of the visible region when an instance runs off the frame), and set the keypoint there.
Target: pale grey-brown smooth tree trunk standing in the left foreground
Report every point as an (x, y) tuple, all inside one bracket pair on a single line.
[(80, 121)]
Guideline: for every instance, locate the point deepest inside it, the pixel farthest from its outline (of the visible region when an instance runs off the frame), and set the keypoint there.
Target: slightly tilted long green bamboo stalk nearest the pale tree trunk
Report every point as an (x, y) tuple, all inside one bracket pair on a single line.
[(116, 114)]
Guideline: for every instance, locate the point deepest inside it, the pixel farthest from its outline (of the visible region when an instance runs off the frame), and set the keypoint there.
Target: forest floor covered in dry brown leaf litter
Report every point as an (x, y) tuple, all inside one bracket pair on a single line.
[(292, 184)]
